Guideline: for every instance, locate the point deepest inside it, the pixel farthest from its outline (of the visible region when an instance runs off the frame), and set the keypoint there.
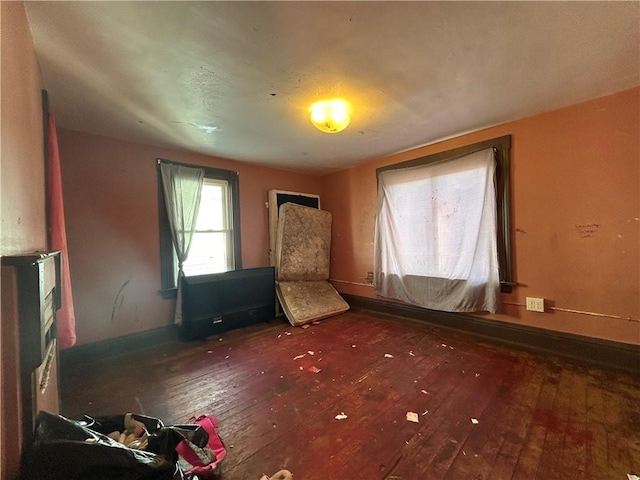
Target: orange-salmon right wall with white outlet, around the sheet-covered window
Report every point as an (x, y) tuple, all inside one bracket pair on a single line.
[(575, 208)]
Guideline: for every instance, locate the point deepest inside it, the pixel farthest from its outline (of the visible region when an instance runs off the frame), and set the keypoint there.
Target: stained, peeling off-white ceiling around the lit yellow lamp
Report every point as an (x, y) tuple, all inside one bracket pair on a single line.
[(235, 79)]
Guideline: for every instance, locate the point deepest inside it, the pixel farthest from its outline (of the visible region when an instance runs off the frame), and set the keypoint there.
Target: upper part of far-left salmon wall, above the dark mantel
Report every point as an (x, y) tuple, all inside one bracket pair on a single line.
[(23, 216)]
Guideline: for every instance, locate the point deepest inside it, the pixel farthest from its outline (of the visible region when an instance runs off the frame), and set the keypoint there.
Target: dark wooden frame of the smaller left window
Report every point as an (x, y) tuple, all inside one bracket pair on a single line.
[(168, 286)]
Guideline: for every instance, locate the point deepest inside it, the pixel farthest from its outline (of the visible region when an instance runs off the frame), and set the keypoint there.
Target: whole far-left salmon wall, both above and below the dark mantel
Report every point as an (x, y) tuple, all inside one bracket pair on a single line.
[(22, 203)]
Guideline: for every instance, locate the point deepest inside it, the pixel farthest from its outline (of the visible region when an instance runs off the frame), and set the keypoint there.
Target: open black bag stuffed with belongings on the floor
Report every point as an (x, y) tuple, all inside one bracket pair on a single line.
[(63, 449)]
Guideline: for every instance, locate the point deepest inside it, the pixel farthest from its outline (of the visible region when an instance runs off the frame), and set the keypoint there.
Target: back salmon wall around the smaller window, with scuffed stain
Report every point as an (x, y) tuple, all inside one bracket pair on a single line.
[(110, 190)]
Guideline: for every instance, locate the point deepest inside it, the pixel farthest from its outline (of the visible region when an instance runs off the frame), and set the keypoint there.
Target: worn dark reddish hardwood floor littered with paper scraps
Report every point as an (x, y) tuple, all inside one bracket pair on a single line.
[(537, 417)]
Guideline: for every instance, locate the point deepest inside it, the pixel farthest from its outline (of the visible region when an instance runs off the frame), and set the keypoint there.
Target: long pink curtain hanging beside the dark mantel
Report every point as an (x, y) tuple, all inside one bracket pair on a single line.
[(58, 237)]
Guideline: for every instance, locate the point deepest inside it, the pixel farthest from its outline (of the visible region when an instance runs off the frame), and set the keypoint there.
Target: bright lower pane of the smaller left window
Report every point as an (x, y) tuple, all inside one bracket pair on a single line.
[(208, 253)]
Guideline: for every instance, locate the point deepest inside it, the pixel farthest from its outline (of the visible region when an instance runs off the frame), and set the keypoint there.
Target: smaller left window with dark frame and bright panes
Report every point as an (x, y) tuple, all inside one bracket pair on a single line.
[(215, 245)]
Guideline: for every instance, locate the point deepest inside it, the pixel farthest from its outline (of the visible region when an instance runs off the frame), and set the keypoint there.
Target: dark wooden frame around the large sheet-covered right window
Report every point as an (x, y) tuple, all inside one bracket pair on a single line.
[(502, 149)]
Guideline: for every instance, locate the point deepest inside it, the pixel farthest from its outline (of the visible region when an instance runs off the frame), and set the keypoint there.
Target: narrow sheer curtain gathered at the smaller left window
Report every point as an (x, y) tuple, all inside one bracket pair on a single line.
[(182, 188)]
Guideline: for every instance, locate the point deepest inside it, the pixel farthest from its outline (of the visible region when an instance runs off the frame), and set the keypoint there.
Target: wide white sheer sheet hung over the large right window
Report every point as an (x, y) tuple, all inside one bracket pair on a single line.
[(435, 238)]
